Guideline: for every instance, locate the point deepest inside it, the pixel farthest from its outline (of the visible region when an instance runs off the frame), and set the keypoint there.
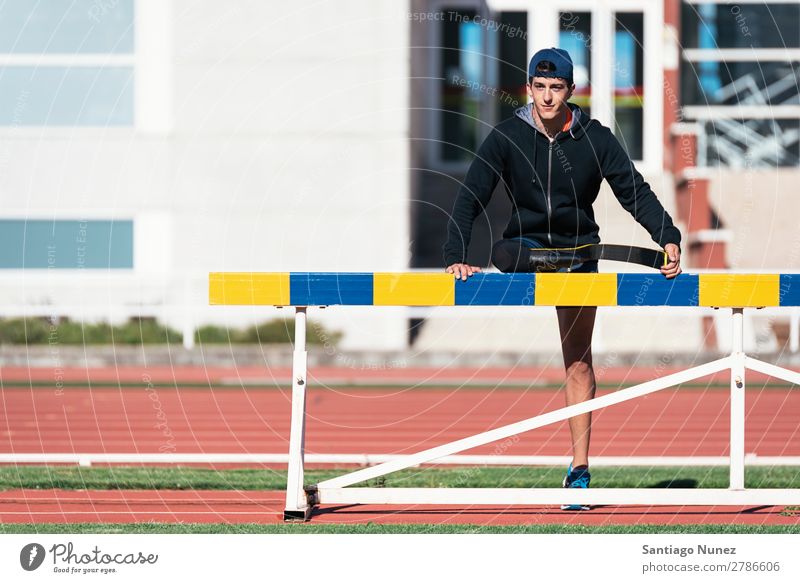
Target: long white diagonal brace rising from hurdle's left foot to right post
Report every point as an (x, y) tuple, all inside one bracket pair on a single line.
[(528, 424)]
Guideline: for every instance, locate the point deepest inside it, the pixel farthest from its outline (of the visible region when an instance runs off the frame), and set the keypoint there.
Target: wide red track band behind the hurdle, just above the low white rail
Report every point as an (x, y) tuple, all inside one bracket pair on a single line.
[(674, 422)]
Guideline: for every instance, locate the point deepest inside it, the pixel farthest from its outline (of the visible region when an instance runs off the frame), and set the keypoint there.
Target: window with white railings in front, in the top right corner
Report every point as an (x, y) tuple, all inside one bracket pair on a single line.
[(739, 81)]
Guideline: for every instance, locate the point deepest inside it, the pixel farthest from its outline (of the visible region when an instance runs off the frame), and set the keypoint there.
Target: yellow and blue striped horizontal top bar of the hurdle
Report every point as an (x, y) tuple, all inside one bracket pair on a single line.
[(500, 289)]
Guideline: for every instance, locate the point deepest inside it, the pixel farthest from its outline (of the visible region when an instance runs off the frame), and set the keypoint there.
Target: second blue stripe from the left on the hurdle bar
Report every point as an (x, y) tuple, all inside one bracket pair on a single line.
[(496, 289)]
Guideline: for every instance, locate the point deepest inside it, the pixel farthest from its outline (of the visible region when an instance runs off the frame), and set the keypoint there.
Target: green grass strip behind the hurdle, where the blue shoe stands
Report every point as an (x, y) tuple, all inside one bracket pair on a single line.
[(183, 478)]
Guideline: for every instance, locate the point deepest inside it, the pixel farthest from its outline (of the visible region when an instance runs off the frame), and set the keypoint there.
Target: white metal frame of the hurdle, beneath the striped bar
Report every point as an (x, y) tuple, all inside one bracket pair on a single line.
[(300, 501)]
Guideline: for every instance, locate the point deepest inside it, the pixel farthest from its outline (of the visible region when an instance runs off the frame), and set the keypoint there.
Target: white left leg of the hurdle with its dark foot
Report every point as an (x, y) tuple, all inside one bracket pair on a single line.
[(297, 507)]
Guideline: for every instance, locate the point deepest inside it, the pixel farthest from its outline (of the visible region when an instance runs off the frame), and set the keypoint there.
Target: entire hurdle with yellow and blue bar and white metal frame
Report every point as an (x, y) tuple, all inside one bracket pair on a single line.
[(302, 290)]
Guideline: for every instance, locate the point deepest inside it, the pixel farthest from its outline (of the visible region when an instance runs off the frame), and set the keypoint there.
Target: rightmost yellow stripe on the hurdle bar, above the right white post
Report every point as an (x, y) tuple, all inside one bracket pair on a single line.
[(739, 290)]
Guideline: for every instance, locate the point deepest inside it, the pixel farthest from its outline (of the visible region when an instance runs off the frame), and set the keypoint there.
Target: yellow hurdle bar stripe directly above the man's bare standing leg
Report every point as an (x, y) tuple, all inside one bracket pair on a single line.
[(576, 289)]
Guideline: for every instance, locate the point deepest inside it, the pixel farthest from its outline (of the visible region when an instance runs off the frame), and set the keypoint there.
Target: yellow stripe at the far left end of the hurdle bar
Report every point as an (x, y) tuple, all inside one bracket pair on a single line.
[(249, 289)]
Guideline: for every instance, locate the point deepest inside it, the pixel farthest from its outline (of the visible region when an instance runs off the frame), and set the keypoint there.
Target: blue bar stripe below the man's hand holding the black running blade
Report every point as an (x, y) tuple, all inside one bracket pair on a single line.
[(645, 289)]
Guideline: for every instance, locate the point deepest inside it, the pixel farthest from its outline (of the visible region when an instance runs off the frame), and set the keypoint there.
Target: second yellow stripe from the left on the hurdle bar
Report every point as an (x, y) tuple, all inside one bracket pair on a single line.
[(414, 289)]
